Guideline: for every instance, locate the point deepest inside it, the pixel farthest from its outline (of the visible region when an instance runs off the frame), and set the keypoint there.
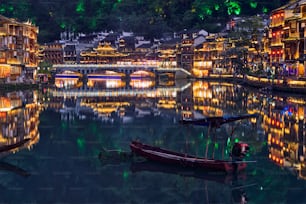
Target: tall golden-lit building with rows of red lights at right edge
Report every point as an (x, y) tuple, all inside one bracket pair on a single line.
[(287, 38)]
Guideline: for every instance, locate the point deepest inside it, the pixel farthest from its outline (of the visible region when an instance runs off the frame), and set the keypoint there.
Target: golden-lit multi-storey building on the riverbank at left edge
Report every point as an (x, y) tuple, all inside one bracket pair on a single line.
[(18, 48)]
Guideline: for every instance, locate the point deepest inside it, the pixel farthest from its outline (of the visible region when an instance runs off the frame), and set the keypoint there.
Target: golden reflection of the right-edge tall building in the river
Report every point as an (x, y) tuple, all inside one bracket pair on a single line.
[(284, 124)]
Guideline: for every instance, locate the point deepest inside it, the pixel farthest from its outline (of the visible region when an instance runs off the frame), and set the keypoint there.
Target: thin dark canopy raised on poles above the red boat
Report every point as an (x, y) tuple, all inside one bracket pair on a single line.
[(217, 121)]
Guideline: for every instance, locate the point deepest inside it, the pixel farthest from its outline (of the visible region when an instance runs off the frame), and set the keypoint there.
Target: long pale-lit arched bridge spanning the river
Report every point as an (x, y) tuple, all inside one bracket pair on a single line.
[(86, 69)]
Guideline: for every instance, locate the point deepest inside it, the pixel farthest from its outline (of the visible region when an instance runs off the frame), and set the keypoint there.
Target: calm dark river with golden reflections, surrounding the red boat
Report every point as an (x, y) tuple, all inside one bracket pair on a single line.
[(52, 139)]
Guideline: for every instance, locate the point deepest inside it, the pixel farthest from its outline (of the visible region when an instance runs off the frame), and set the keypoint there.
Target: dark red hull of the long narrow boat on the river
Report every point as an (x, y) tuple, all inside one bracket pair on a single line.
[(174, 158)]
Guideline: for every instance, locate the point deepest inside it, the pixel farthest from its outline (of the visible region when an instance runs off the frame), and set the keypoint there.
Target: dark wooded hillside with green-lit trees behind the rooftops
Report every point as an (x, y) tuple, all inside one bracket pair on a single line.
[(147, 17)]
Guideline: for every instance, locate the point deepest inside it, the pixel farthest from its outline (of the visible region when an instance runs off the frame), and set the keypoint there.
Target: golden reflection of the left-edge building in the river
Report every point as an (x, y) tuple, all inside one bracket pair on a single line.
[(19, 119)]
